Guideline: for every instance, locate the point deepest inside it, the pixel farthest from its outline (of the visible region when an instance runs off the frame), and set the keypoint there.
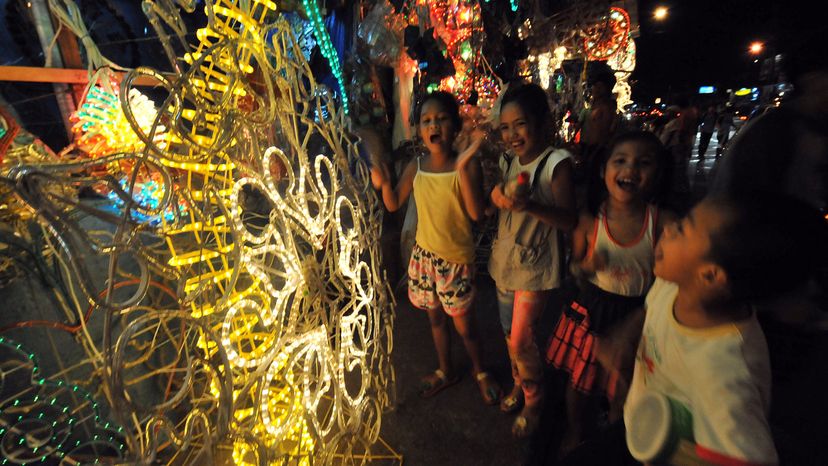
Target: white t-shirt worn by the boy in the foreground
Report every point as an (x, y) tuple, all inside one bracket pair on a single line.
[(721, 374)]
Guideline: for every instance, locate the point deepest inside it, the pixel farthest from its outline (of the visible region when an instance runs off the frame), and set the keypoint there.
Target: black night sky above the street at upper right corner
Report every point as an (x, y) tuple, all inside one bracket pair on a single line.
[(704, 42)]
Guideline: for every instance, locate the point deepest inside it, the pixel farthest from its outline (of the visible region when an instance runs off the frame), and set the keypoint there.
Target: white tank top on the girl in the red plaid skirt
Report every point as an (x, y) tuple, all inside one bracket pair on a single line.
[(629, 270)]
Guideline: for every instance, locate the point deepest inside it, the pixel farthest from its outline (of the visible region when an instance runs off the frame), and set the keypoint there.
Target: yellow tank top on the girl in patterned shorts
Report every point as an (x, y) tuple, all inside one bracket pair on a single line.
[(443, 228)]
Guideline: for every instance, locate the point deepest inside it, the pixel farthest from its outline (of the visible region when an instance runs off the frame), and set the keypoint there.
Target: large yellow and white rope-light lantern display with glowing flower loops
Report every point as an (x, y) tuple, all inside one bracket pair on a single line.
[(275, 259)]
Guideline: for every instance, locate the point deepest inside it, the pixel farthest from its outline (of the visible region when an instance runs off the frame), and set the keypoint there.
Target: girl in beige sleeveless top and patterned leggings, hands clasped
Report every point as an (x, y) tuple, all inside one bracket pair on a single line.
[(525, 253)]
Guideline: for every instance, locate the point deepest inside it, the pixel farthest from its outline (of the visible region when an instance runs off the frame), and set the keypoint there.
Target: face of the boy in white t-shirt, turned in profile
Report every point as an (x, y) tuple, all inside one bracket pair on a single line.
[(681, 254)]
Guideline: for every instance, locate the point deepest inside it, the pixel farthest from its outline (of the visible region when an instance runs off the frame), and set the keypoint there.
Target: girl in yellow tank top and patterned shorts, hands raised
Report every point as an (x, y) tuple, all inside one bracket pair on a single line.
[(447, 192)]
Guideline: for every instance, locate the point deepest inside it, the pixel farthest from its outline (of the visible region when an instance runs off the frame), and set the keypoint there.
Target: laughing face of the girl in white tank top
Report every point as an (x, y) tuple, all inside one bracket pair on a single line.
[(630, 172)]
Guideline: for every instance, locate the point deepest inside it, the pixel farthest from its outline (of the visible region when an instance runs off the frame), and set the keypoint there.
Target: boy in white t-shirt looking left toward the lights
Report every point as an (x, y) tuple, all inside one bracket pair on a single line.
[(701, 342)]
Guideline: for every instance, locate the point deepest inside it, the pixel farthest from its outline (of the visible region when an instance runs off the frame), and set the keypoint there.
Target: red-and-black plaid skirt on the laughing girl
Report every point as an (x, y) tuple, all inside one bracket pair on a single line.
[(571, 348)]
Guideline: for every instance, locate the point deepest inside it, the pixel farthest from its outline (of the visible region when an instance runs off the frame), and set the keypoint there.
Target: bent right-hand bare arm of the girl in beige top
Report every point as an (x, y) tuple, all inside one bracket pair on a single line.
[(562, 215)]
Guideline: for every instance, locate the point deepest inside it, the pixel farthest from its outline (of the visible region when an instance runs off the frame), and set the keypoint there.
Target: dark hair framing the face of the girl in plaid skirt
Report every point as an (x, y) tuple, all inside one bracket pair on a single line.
[(597, 189)]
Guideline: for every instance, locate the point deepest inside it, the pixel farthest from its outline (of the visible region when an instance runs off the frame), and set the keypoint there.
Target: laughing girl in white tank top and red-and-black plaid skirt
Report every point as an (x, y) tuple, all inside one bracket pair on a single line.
[(612, 248)]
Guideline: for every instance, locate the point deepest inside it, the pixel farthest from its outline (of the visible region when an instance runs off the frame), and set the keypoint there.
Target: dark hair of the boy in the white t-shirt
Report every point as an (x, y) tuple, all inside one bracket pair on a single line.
[(768, 244)]
